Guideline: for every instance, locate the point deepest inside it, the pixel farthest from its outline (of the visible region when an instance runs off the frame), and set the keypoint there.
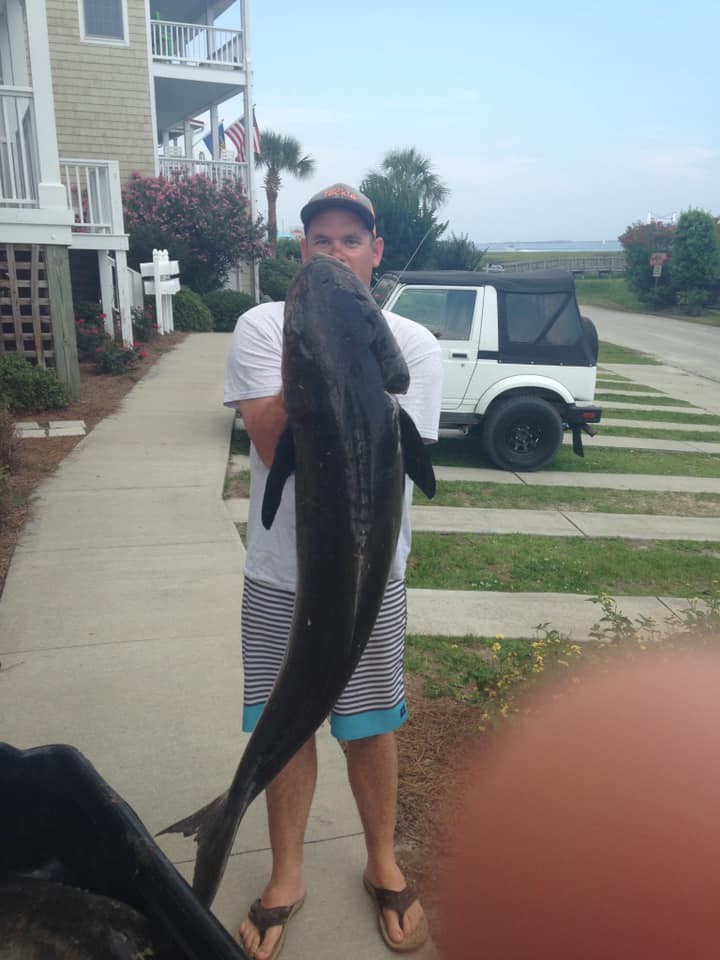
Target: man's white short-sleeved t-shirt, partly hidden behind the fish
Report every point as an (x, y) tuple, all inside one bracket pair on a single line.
[(253, 370)]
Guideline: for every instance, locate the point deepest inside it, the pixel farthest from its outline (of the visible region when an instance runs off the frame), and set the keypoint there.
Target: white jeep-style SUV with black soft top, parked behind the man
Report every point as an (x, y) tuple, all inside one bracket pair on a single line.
[(520, 361)]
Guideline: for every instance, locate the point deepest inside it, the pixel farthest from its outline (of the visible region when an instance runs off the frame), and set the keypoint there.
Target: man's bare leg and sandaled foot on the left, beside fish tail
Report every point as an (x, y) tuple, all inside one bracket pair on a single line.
[(289, 798)]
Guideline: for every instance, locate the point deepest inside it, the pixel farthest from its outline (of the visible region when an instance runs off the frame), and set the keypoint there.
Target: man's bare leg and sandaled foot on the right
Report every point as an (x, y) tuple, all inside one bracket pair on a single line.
[(373, 772)]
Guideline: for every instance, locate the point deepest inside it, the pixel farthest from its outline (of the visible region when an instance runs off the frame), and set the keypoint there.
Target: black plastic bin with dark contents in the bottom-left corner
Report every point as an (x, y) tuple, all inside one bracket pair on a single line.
[(81, 877)]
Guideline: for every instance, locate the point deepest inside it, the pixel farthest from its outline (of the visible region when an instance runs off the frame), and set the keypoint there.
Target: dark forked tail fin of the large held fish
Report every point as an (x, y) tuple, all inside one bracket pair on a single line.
[(214, 829)]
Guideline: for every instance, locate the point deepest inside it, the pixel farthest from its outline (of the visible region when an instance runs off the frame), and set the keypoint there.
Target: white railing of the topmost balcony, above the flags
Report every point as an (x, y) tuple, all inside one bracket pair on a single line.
[(196, 44)]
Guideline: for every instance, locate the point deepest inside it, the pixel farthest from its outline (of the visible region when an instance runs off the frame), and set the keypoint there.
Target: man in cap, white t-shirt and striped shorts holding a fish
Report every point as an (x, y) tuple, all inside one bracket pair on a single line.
[(340, 223)]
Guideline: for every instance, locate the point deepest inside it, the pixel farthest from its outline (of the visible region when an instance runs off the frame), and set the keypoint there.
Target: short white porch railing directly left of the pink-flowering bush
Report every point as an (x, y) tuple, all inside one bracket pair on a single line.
[(93, 194)]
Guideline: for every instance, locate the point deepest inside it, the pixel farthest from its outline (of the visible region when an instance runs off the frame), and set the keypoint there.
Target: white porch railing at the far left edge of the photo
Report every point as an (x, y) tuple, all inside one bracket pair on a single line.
[(18, 148)]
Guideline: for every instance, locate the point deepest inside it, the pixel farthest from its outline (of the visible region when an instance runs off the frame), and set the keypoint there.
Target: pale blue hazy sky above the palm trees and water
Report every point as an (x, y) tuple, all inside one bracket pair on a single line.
[(547, 121)]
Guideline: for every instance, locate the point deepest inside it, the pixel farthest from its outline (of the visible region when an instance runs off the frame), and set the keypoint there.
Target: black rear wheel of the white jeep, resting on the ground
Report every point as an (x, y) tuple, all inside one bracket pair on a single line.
[(522, 433)]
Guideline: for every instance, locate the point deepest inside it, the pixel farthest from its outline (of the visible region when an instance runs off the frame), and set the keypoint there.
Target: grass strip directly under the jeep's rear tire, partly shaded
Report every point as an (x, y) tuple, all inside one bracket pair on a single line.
[(468, 453)]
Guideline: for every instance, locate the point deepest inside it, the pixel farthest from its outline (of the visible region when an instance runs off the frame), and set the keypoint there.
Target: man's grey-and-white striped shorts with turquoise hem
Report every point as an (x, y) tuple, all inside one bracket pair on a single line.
[(373, 701)]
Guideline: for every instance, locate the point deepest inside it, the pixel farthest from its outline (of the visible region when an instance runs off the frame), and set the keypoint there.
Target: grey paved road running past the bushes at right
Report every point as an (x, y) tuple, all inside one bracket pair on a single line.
[(691, 347)]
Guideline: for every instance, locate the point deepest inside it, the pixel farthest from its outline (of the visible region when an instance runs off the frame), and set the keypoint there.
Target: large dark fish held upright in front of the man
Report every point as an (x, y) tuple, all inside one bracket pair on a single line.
[(349, 445)]
